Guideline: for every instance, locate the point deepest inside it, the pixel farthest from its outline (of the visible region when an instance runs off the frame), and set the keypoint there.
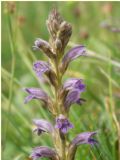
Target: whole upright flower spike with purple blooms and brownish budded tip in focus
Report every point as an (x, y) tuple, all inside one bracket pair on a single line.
[(64, 94)]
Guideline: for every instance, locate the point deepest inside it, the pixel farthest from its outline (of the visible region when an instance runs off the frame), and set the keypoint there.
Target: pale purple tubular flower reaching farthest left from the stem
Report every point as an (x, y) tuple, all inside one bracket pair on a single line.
[(36, 93)]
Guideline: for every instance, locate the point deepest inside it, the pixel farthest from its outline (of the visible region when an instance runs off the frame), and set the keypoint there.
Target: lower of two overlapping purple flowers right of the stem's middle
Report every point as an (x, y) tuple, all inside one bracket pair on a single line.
[(72, 97)]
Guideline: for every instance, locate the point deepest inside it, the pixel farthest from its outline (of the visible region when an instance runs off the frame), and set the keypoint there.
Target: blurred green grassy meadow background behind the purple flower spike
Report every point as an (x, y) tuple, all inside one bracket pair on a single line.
[(22, 23)]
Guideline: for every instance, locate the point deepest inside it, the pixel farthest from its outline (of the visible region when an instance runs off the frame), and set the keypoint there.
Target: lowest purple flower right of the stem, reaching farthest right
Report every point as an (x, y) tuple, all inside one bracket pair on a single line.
[(84, 138)]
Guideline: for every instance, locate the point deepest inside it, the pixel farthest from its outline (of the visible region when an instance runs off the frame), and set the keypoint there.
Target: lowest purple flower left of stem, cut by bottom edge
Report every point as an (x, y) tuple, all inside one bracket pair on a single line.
[(43, 151)]
